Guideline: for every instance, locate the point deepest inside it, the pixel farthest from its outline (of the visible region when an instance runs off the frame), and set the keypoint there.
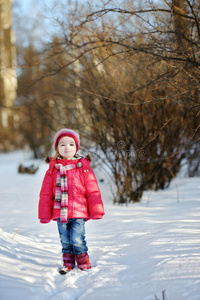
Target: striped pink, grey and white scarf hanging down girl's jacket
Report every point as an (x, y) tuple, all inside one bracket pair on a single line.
[(61, 194)]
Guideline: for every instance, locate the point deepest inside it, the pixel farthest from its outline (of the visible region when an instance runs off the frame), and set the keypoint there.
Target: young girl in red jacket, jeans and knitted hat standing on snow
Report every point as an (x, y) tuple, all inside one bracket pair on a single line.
[(70, 195)]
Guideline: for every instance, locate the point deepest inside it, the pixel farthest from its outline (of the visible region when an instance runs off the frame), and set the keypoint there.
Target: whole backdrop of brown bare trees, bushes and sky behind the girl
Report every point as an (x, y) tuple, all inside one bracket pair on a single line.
[(126, 76)]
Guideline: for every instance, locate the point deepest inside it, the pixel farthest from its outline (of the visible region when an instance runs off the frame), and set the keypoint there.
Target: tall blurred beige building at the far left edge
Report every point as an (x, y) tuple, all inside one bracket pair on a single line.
[(8, 77)]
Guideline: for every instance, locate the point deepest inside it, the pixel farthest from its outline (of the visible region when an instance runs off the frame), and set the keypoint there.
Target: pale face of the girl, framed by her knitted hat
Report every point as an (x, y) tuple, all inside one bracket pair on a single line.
[(67, 147)]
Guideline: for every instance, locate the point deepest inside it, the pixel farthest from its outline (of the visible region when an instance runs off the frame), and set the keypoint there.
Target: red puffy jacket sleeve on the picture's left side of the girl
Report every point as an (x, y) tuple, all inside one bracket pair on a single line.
[(46, 197)]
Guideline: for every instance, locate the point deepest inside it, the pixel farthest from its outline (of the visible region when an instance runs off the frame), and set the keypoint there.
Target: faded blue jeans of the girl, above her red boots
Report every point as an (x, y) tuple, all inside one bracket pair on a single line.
[(72, 236)]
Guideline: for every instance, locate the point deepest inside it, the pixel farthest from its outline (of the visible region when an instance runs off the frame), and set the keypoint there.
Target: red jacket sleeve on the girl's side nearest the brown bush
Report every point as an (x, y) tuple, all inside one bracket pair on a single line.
[(93, 195)]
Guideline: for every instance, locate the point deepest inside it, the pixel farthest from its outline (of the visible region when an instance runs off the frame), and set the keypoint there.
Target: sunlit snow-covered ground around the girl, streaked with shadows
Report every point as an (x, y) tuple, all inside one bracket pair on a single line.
[(137, 252)]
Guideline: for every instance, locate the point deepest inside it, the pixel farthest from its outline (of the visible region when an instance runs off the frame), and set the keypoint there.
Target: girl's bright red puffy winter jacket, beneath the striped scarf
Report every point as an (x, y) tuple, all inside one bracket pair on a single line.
[(84, 198)]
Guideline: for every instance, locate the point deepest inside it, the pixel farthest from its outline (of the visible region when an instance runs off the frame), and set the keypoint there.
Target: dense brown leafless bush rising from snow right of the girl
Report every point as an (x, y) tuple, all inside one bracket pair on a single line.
[(143, 140)]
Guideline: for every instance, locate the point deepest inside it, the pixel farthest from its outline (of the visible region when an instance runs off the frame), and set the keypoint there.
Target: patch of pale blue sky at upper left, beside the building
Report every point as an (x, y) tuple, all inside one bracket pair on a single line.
[(35, 20)]
